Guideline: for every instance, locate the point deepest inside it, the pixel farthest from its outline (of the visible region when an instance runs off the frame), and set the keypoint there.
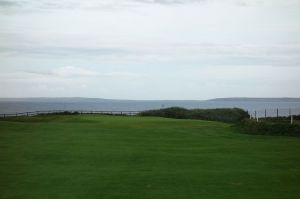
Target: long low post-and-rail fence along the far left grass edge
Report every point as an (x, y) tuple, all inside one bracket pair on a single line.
[(33, 113)]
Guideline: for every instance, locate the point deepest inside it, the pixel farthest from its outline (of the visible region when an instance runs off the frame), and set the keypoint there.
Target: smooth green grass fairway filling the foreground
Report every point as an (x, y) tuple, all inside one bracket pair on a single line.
[(90, 156)]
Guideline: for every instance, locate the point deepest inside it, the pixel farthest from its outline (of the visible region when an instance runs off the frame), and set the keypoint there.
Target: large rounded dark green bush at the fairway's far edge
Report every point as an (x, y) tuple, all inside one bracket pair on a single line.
[(221, 114)]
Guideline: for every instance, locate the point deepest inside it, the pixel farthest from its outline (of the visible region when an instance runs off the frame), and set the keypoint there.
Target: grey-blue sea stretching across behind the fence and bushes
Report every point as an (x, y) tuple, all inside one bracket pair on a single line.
[(260, 106)]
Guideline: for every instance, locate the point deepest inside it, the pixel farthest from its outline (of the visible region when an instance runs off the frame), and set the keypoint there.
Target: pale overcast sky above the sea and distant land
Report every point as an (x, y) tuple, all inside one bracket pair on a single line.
[(150, 49)]
